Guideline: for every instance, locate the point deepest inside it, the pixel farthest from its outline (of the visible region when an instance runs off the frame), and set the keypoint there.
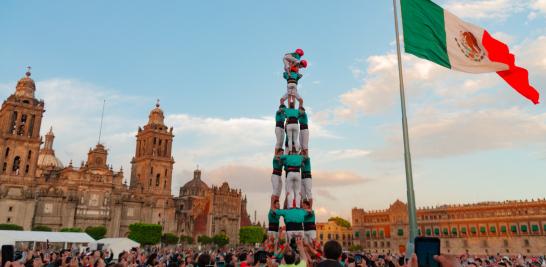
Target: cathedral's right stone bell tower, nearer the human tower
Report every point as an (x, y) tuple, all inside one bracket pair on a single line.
[(152, 164)]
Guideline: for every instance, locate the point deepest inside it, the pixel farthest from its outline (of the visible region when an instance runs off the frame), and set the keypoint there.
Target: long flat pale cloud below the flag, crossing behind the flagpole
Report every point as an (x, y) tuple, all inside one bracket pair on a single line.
[(436, 134)]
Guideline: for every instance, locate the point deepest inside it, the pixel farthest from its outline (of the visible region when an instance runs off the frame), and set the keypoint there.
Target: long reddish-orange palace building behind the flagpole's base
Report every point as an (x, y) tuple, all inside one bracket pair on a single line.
[(509, 227)]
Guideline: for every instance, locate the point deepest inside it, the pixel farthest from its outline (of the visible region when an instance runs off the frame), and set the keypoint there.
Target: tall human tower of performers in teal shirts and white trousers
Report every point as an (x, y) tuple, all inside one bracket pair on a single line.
[(292, 156)]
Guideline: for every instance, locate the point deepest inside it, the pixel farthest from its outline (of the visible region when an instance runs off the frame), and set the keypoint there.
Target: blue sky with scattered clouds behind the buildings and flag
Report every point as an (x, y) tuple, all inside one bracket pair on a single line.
[(216, 66)]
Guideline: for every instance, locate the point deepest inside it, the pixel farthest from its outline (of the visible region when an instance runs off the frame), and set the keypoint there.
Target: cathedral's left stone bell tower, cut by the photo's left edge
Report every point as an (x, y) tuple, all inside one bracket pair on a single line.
[(20, 121)]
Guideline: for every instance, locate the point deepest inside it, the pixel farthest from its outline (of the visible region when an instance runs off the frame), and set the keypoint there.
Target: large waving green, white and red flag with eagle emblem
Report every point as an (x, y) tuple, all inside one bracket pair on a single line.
[(432, 33)]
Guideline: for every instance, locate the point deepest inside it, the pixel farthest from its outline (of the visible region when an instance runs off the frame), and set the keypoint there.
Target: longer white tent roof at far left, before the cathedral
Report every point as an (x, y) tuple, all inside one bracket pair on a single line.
[(8, 237)]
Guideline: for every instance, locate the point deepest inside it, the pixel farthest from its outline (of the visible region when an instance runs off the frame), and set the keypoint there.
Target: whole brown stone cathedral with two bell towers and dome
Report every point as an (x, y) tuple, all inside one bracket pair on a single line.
[(37, 189)]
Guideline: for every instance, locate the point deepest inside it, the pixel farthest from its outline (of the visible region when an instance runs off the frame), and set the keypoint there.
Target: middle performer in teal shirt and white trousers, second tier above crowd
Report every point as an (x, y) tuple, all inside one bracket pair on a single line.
[(292, 165)]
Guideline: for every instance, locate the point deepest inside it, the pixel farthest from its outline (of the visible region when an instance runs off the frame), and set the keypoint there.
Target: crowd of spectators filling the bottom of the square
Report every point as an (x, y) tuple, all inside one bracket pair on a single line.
[(295, 254)]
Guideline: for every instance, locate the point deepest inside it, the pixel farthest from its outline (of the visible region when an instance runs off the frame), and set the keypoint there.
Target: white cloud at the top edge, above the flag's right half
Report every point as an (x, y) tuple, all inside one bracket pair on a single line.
[(486, 9)]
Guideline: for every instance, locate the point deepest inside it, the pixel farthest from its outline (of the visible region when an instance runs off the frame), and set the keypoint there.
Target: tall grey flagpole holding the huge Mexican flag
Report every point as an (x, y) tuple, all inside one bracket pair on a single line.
[(412, 211)]
